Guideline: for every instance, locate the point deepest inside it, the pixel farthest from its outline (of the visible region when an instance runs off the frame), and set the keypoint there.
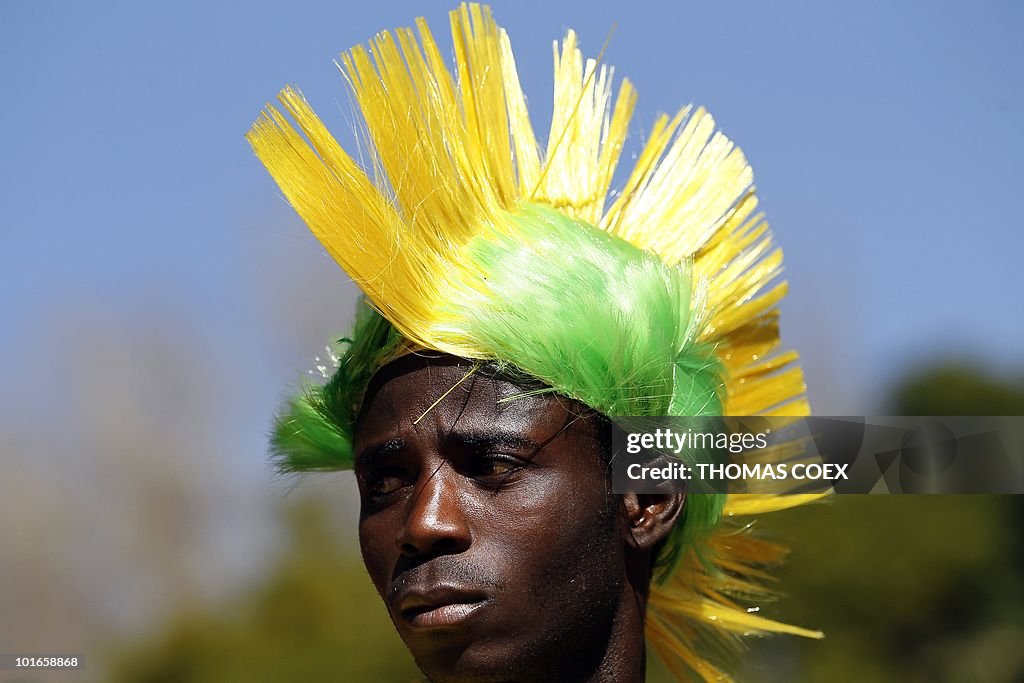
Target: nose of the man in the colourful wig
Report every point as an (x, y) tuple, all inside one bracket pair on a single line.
[(437, 524)]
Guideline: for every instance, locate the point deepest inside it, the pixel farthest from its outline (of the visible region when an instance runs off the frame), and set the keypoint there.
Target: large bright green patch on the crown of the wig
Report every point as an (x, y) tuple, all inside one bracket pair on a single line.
[(592, 316)]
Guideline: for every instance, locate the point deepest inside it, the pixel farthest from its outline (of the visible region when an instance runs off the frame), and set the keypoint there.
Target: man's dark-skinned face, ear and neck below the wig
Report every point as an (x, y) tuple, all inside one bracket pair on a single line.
[(489, 529)]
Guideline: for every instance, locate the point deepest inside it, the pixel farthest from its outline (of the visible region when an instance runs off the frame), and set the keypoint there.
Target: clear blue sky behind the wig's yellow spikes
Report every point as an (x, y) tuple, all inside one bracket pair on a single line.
[(886, 141)]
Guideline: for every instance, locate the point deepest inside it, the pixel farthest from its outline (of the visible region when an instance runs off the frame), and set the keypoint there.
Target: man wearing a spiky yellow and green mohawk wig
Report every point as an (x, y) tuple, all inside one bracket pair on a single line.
[(513, 308)]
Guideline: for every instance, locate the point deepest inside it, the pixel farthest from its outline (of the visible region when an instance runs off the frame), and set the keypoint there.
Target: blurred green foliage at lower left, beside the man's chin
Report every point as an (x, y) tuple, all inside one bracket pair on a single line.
[(317, 618)]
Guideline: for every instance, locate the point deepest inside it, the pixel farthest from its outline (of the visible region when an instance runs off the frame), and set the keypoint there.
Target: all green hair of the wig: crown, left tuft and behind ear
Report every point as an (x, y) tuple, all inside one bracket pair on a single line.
[(593, 317)]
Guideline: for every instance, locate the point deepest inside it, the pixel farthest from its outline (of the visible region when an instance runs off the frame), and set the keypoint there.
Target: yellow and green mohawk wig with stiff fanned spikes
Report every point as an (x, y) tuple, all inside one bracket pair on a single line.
[(468, 237)]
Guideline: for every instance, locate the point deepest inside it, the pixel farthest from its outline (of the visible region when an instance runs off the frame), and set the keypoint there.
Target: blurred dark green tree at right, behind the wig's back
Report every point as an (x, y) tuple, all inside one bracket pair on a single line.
[(907, 588)]
